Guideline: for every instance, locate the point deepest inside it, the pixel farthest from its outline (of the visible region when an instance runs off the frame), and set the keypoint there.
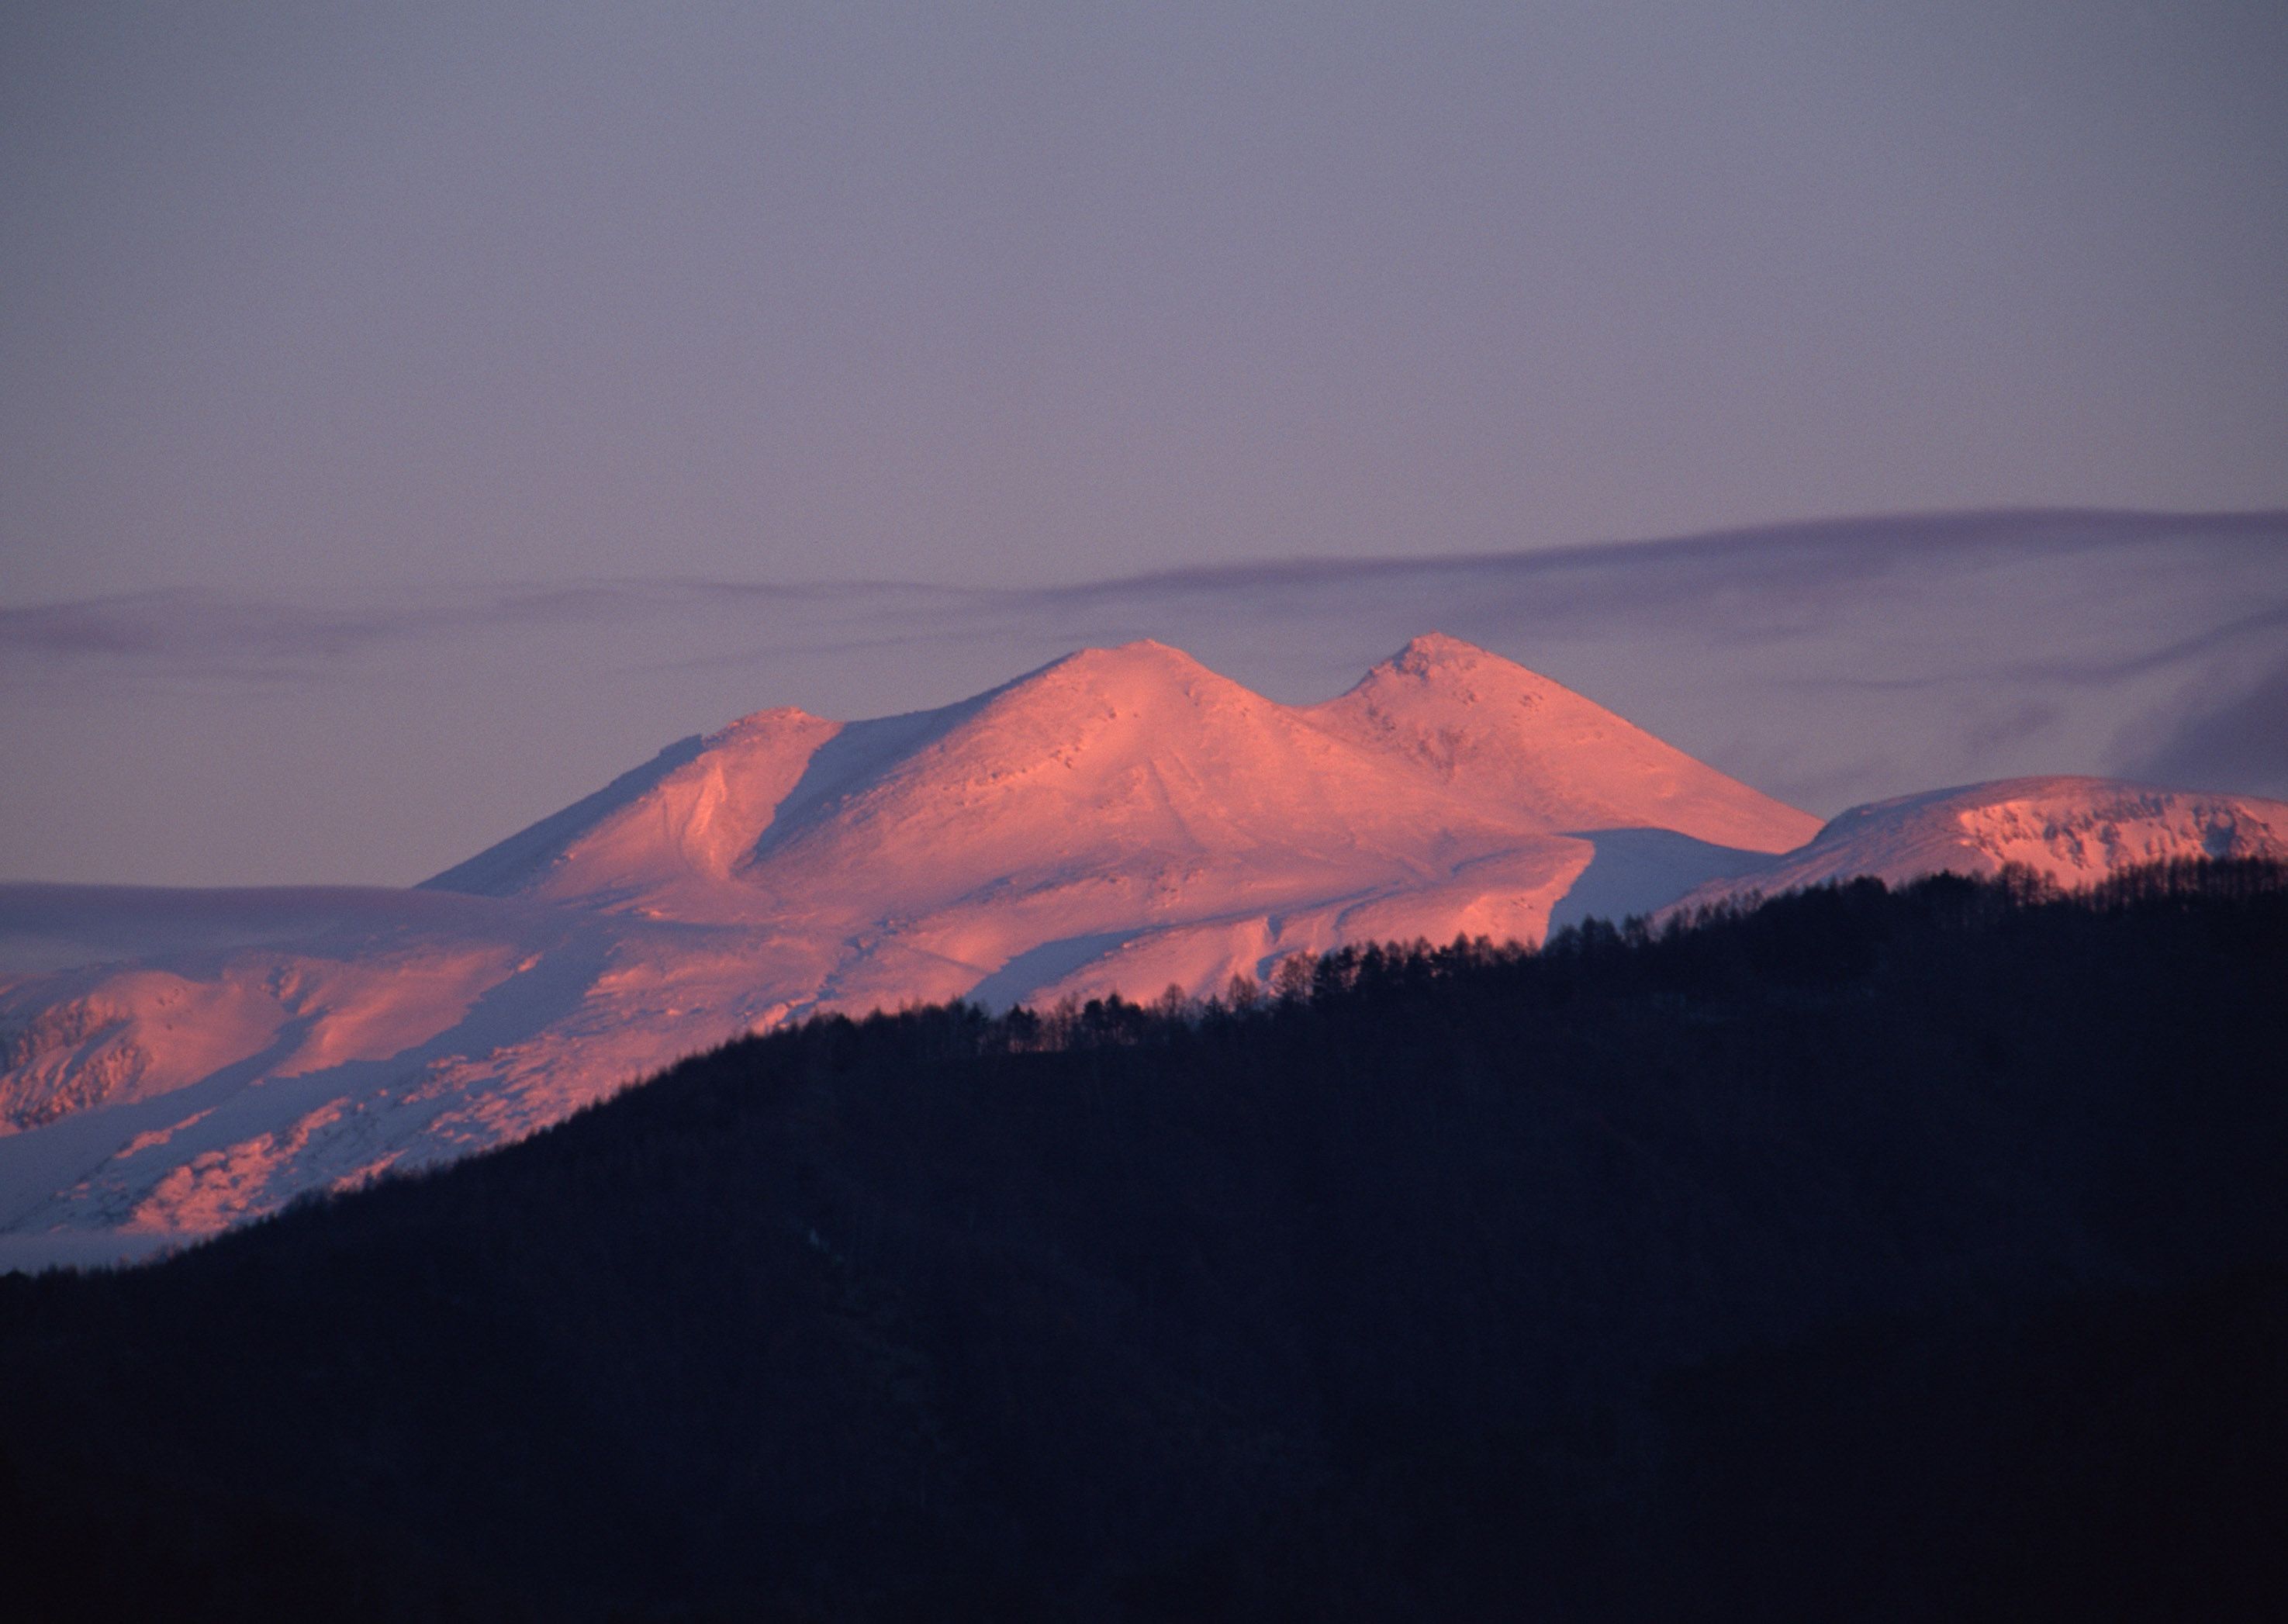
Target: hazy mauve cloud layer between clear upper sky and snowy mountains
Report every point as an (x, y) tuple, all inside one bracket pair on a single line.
[(1822, 662)]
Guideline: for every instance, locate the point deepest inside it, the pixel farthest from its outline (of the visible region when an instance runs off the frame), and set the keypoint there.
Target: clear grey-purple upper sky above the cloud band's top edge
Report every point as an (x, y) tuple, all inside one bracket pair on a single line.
[(987, 294)]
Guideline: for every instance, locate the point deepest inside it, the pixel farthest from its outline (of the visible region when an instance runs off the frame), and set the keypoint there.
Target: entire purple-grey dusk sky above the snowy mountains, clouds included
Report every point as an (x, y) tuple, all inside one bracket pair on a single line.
[(347, 335)]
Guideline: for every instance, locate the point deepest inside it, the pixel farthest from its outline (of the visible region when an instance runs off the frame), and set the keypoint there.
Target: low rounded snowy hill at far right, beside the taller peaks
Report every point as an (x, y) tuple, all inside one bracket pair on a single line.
[(2076, 831)]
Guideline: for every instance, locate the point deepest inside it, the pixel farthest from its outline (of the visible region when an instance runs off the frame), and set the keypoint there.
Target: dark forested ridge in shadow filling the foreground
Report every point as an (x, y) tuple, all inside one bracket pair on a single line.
[(1866, 1255)]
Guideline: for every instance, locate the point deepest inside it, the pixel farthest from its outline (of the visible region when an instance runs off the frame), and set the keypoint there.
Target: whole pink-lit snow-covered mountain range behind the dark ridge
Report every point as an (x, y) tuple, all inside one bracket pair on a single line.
[(173, 1062)]
